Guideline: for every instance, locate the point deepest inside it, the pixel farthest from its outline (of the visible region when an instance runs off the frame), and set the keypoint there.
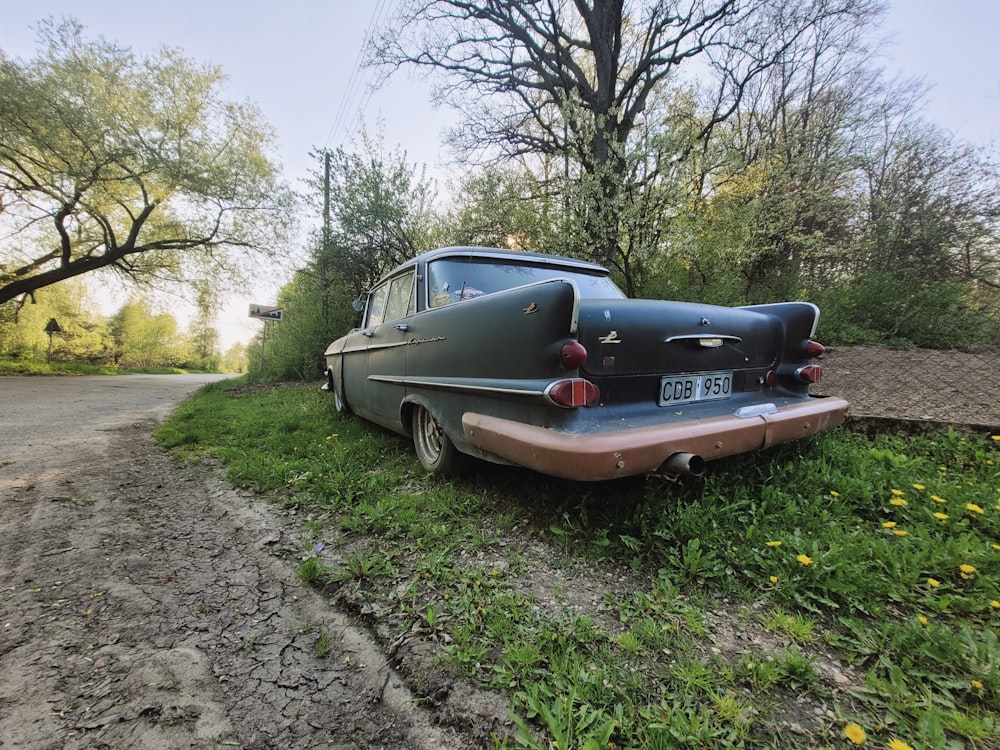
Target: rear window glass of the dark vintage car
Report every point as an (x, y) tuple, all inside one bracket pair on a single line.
[(452, 279)]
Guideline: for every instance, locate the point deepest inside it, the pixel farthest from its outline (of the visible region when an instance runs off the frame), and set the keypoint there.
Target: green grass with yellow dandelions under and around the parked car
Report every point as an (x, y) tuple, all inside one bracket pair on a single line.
[(835, 585)]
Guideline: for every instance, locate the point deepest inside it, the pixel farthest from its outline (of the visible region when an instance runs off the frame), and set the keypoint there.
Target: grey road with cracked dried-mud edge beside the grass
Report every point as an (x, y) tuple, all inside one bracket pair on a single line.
[(144, 604)]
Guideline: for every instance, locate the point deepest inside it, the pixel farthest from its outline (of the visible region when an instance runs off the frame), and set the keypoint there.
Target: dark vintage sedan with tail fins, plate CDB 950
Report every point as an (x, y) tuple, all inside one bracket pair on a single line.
[(540, 361)]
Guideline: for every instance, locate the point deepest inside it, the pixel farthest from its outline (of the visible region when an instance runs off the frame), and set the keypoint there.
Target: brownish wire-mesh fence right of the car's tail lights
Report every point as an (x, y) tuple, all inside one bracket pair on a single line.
[(921, 385)]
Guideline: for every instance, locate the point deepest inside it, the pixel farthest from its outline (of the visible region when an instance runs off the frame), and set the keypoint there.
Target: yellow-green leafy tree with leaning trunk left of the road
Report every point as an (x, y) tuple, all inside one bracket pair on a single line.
[(137, 165)]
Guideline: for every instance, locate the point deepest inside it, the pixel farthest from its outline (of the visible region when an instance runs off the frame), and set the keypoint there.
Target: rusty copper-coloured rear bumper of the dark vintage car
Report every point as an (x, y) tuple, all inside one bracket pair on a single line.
[(638, 450)]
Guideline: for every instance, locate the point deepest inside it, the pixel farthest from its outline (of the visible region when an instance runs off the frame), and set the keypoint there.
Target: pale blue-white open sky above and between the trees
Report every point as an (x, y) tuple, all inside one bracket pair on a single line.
[(298, 61)]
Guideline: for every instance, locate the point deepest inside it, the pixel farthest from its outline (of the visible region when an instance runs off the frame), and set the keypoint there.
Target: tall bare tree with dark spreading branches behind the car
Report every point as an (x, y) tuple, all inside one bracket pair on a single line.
[(574, 78)]
